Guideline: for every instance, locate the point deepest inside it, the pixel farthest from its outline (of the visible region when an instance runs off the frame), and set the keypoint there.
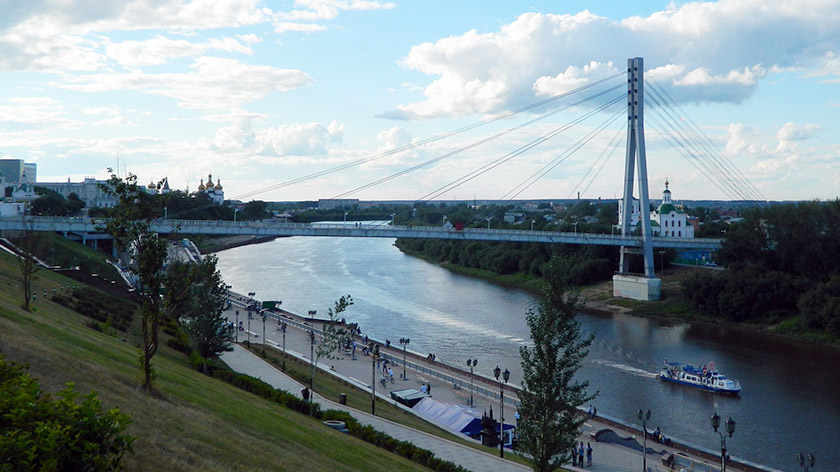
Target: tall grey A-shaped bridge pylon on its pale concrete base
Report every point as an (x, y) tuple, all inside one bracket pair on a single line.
[(636, 286)]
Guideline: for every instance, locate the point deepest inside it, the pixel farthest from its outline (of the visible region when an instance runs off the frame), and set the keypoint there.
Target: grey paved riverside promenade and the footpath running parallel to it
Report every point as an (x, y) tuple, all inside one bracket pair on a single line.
[(606, 456)]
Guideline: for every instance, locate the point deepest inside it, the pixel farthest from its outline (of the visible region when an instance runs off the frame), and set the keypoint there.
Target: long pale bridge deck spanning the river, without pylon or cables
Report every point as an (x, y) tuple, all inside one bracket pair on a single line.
[(352, 230)]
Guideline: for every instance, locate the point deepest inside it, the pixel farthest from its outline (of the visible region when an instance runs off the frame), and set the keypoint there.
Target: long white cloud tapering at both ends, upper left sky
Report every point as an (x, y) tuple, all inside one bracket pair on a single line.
[(214, 83)]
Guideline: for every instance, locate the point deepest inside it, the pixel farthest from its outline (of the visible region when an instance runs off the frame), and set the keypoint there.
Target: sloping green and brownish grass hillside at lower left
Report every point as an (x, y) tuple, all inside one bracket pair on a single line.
[(192, 422)]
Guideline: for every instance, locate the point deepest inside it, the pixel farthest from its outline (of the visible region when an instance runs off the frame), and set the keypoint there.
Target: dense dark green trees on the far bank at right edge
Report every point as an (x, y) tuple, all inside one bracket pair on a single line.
[(783, 261)]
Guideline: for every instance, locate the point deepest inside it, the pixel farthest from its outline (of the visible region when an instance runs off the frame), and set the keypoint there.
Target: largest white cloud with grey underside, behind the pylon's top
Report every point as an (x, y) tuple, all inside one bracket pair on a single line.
[(702, 51)]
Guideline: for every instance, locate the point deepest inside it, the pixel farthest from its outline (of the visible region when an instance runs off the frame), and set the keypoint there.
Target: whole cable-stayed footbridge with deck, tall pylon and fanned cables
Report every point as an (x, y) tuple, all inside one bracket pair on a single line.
[(597, 99)]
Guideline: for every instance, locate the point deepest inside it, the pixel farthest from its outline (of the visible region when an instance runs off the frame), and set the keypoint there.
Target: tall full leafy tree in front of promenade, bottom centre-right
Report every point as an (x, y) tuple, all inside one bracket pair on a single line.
[(550, 396)]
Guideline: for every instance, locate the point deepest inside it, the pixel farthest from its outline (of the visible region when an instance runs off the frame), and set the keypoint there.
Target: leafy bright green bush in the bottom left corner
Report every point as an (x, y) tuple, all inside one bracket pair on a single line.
[(38, 432)]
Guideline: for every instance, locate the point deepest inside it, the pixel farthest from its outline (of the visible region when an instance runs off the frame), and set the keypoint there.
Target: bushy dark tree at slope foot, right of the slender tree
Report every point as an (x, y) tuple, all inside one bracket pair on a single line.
[(197, 294)]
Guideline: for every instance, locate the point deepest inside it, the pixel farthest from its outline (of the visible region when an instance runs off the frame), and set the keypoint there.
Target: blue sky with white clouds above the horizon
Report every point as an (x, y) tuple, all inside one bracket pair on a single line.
[(379, 100)]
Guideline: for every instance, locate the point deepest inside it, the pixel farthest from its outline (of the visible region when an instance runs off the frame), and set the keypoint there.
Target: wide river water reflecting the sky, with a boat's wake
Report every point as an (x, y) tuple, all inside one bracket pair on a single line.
[(791, 391)]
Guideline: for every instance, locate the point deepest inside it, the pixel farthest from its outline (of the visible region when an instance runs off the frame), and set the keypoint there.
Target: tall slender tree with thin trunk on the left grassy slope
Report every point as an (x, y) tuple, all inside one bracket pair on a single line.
[(143, 253)]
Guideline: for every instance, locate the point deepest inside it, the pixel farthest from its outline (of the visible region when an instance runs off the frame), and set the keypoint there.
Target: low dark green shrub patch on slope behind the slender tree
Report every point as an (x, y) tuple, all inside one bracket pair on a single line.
[(99, 306)]
